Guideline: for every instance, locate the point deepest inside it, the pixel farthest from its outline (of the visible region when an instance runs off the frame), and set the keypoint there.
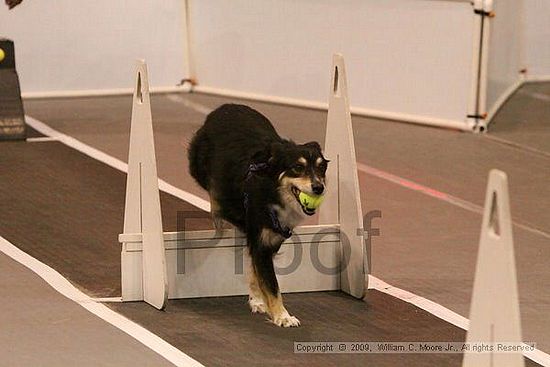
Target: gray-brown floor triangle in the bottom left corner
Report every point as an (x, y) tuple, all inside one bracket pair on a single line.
[(40, 327)]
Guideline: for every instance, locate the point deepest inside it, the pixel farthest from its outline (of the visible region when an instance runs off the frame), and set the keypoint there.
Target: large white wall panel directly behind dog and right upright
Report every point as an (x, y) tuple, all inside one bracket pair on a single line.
[(409, 57)]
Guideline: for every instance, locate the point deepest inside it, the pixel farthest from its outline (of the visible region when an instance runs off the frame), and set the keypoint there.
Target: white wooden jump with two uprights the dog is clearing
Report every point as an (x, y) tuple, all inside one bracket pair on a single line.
[(157, 265)]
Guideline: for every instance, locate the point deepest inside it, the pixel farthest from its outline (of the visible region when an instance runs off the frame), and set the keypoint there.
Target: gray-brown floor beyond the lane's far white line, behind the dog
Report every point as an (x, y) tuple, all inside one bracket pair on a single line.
[(426, 246)]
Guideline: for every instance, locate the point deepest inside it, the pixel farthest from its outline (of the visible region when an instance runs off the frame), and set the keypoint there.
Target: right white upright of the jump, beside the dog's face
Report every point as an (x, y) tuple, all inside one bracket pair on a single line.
[(342, 204)]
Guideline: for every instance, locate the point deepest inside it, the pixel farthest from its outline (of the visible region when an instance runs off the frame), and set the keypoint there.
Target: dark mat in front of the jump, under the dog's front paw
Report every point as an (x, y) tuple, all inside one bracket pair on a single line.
[(222, 332)]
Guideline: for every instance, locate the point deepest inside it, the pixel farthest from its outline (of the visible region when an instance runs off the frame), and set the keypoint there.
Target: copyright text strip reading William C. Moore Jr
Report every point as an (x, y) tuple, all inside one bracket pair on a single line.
[(410, 347)]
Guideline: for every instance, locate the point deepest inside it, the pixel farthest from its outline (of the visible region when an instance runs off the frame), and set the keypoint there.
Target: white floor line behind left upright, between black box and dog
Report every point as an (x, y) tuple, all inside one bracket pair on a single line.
[(112, 161)]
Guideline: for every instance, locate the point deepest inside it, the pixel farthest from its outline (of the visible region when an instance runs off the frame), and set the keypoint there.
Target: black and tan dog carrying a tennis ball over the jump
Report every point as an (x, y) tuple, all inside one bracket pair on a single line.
[(254, 178)]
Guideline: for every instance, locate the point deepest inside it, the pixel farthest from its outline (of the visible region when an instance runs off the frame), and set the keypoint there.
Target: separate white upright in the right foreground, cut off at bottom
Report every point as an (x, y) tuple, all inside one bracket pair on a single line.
[(494, 311)]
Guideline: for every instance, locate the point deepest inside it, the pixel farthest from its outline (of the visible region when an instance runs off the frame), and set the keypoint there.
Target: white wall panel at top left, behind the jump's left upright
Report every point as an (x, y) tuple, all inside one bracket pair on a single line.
[(81, 45)]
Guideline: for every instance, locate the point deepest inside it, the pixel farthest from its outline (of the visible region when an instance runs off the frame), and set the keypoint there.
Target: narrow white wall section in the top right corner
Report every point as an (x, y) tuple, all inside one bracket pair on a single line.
[(537, 38)]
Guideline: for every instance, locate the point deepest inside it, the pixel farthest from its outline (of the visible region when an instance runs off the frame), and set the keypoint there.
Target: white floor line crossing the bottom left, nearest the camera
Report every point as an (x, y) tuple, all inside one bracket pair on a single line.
[(63, 286)]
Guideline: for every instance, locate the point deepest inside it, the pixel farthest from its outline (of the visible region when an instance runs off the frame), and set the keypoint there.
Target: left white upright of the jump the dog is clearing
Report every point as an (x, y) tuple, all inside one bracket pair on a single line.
[(145, 279)]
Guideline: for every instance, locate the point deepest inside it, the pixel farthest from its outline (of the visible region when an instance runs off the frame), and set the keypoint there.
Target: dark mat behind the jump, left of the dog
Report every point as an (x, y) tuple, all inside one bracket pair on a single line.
[(67, 209)]
